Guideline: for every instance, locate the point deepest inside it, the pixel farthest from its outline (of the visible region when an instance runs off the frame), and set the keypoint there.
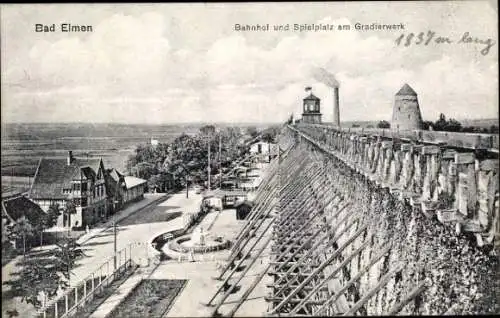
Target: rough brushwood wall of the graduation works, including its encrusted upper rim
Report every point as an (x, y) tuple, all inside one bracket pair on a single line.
[(432, 213)]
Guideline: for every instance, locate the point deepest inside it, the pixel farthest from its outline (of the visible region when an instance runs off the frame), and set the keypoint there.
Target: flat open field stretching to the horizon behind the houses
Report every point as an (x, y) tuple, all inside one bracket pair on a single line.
[(24, 144)]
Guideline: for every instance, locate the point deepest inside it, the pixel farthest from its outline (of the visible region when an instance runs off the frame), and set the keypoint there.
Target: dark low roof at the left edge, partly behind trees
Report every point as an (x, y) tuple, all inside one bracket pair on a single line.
[(16, 208)]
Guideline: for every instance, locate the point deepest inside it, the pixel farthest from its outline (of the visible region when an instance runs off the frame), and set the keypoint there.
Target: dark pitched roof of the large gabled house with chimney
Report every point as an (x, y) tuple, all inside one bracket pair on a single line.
[(54, 175)]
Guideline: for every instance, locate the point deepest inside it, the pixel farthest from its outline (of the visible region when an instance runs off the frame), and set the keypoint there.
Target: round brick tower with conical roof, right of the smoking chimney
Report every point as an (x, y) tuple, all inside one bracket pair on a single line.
[(406, 112)]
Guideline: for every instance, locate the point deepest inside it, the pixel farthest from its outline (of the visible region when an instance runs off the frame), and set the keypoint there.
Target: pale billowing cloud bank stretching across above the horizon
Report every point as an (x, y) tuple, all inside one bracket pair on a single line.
[(128, 70)]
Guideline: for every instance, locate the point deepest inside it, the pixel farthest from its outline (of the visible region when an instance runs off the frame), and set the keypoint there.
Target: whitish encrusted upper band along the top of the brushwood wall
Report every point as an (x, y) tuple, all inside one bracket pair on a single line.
[(451, 185)]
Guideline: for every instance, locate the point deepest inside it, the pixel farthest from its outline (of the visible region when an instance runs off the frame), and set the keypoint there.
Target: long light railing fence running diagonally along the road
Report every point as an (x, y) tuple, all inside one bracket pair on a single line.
[(84, 291)]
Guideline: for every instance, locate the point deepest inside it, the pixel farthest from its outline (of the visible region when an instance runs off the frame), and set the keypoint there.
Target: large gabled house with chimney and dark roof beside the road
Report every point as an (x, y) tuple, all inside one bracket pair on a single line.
[(76, 180)]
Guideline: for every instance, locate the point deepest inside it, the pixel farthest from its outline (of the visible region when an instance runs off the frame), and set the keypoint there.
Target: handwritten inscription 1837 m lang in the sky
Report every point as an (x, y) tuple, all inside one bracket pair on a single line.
[(426, 38)]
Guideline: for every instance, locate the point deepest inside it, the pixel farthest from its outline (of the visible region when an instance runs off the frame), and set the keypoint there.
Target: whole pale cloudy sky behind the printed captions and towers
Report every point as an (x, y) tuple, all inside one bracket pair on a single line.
[(168, 63)]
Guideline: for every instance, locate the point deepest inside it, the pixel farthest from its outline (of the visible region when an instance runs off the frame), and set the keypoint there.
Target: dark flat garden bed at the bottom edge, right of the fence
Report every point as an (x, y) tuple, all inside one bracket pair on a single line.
[(150, 298)]
